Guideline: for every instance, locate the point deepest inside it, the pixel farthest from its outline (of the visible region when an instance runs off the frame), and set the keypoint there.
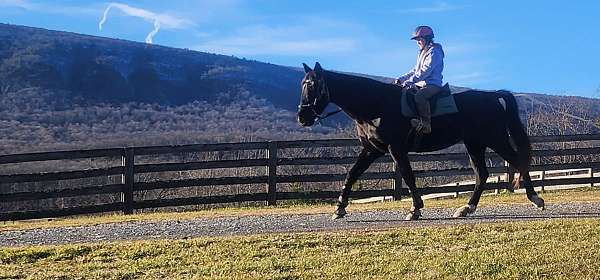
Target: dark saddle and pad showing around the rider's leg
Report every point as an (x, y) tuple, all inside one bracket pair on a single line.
[(441, 104)]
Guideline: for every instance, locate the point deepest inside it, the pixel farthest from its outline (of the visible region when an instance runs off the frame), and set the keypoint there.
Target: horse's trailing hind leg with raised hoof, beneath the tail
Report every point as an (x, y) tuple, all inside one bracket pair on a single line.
[(510, 155)]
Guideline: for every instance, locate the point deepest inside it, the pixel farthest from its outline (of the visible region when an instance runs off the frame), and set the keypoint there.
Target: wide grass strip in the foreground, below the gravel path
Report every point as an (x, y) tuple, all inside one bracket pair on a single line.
[(553, 249)]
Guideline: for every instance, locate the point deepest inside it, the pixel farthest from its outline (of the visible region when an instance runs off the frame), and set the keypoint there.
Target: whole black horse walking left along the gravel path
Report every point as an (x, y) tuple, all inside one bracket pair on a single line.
[(485, 119)]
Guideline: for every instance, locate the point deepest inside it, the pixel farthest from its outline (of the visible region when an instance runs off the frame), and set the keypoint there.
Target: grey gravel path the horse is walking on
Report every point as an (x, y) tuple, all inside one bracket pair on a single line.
[(227, 226)]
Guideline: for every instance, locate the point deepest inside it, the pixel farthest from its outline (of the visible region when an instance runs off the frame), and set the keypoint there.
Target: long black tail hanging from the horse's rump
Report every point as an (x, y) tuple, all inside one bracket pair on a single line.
[(517, 132)]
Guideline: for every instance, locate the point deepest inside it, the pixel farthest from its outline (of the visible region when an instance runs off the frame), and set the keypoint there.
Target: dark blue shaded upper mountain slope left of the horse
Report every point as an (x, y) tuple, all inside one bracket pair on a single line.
[(92, 69)]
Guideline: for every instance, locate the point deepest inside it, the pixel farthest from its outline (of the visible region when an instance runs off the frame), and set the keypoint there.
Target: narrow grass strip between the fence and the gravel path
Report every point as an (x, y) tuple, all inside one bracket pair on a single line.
[(579, 195)]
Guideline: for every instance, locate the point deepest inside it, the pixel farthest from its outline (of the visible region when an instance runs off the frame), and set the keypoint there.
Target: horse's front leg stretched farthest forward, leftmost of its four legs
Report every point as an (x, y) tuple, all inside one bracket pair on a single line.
[(365, 159)]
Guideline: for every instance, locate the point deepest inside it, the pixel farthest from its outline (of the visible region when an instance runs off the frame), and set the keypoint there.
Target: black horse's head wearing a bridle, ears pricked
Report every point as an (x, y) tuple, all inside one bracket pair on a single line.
[(315, 95)]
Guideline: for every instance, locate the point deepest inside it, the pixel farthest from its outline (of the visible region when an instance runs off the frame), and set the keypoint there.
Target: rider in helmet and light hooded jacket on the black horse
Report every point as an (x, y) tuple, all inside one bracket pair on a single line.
[(426, 76)]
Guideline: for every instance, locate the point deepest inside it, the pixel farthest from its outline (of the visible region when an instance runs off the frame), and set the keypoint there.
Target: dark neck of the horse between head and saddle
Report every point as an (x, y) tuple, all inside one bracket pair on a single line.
[(352, 96)]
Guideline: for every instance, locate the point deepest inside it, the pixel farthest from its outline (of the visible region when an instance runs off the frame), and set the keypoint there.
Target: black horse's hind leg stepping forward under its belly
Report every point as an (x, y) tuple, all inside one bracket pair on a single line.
[(477, 156)]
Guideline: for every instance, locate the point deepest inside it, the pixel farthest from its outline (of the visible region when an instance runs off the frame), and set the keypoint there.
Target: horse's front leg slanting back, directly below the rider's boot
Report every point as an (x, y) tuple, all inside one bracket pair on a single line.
[(400, 157)]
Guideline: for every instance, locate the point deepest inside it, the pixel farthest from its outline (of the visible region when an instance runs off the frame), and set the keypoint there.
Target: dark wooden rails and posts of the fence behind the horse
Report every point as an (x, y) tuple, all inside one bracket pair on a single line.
[(129, 170)]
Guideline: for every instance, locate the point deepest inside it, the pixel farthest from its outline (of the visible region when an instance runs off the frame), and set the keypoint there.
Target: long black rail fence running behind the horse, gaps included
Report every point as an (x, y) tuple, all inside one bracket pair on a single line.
[(127, 175)]
